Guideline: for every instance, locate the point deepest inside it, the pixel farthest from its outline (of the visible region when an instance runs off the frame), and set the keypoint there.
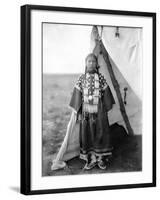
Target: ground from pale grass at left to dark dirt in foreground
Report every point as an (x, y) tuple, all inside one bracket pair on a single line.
[(57, 91)]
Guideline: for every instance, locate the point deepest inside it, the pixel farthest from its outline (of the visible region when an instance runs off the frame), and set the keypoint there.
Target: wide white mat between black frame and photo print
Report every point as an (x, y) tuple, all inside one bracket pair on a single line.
[(42, 183)]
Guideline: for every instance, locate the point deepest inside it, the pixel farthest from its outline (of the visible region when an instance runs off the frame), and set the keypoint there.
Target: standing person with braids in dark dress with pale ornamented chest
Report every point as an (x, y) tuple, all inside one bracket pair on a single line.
[(92, 99)]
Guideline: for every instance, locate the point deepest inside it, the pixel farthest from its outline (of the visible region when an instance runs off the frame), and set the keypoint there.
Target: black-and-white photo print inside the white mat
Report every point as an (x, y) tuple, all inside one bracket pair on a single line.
[(92, 99)]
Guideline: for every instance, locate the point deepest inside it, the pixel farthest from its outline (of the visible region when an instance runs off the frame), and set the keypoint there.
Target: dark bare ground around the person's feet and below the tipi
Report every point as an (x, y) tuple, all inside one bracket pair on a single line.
[(127, 157)]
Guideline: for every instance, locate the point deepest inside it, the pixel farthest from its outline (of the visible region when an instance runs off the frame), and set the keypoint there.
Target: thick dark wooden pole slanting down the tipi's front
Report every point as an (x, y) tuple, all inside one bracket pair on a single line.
[(116, 87)]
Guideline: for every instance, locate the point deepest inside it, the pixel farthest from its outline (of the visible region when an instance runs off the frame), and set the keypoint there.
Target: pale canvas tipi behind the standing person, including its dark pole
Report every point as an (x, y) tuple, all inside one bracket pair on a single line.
[(120, 63)]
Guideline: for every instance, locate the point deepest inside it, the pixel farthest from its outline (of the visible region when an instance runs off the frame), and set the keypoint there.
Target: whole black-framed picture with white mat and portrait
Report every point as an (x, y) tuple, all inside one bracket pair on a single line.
[(87, 99)]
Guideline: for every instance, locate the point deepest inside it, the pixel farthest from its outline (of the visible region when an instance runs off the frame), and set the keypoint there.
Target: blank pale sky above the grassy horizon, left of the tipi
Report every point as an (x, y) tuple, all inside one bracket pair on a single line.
[(65, 47)]
